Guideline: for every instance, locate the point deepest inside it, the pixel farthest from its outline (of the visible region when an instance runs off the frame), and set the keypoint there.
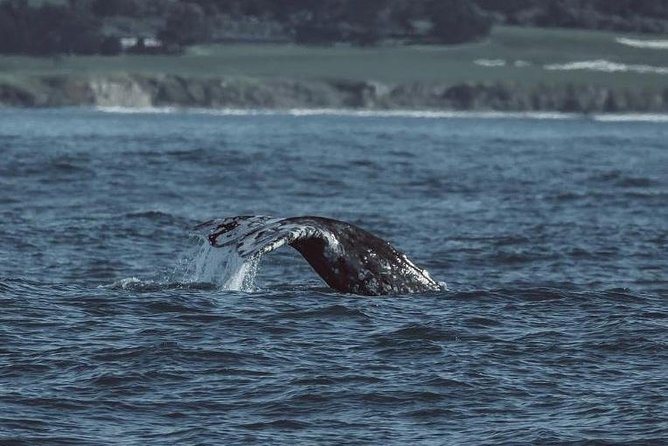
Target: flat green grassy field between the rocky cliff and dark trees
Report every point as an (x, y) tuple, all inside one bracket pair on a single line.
[(444, 64)]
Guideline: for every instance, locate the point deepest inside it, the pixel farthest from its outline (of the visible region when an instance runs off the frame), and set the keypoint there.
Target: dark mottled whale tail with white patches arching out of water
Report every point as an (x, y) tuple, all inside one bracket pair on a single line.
[(348, 258)]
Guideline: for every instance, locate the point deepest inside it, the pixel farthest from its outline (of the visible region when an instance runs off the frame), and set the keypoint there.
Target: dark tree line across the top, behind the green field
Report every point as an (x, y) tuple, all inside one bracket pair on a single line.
[(85, 26)]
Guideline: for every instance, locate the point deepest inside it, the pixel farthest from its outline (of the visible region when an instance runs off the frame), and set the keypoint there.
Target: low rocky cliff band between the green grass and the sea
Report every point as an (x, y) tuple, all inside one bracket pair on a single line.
[(241, 92)]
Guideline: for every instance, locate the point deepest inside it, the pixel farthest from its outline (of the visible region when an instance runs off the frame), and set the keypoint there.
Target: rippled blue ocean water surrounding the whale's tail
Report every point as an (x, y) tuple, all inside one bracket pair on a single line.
[(116, 327)]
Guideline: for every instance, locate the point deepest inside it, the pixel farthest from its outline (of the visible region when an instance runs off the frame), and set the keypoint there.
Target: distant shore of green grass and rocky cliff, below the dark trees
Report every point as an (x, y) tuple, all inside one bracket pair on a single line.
[(570, 71)]
